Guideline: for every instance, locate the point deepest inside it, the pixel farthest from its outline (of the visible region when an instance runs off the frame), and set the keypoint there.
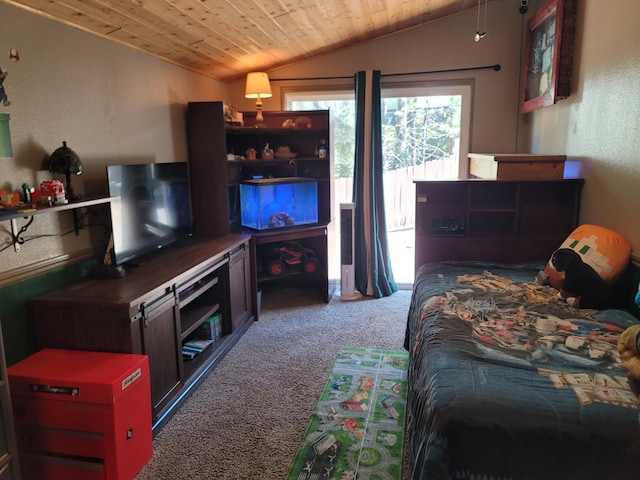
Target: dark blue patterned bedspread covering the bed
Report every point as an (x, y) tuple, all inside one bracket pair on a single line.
[(507, 381)]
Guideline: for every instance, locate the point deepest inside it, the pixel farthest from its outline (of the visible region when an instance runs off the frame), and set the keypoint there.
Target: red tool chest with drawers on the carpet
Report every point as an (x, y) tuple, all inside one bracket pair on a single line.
[(82, 415)]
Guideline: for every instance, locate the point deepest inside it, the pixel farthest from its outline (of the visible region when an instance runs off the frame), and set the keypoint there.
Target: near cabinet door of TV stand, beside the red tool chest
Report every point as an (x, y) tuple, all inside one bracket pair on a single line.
[(161, 342)]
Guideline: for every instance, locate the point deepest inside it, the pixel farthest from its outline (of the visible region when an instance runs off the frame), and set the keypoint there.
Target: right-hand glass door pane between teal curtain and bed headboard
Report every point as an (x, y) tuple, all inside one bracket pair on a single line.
[(425, 137)]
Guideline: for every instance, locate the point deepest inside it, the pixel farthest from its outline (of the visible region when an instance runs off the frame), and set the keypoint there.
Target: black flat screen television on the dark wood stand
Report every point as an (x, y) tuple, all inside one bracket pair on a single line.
[(150, 208)]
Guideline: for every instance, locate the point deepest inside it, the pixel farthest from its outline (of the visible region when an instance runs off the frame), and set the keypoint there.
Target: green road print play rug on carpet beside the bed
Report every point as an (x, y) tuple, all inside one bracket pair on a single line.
[(357, 429)]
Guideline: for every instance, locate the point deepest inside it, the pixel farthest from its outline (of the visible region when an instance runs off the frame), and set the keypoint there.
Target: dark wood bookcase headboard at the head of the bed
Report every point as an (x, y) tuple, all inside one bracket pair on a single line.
[(494, 220)]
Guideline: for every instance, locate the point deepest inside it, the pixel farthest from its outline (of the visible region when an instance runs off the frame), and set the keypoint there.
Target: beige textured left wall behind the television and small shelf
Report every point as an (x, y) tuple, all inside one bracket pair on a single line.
[(110, 103)]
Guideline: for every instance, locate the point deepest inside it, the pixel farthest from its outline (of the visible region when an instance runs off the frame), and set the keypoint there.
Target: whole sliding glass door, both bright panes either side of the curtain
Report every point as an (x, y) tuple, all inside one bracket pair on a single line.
[(425, 137)]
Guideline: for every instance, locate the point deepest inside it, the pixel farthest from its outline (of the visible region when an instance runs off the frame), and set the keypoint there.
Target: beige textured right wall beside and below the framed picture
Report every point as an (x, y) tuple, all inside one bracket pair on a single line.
[(599, 124)]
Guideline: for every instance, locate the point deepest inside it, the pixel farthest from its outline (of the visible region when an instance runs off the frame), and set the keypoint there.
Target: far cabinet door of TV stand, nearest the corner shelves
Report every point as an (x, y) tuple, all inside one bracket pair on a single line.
[(240, 286)]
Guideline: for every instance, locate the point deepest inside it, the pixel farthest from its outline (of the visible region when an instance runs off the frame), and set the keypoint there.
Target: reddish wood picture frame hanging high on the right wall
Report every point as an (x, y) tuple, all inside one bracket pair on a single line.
[(548, 56)]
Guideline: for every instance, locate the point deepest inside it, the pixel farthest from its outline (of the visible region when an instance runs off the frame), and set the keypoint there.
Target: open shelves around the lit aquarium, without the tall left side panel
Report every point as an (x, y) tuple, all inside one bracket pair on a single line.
[(303, 140)]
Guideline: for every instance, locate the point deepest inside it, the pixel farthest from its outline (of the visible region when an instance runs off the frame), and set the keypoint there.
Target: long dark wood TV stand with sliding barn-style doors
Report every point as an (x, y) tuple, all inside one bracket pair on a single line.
[(155, 310)]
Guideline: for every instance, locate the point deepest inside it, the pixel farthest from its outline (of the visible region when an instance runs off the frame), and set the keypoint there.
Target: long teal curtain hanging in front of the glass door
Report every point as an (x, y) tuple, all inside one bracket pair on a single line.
[(373, 274)]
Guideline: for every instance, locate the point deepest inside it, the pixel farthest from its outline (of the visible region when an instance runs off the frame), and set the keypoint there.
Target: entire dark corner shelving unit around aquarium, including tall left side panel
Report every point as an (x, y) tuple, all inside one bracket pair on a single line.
[(211, 140)]
